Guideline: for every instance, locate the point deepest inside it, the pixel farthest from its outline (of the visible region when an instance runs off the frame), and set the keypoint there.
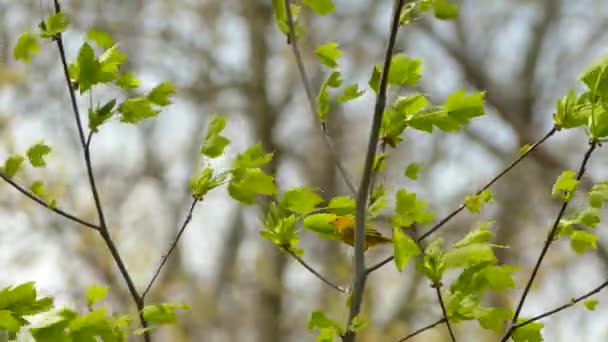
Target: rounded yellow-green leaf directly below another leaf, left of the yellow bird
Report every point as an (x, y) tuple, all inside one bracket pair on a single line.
[(250, 182)]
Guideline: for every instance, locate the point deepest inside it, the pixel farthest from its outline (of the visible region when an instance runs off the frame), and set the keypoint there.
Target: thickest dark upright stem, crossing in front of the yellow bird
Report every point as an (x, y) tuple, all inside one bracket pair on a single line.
[(360, 274)]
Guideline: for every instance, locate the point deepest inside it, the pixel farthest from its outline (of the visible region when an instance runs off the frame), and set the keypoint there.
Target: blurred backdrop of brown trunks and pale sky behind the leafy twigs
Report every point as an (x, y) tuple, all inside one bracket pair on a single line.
[(228, 57)]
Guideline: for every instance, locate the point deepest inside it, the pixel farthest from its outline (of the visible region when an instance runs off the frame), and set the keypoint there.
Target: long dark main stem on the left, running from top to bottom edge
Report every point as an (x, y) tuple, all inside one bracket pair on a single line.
[(104, 232)]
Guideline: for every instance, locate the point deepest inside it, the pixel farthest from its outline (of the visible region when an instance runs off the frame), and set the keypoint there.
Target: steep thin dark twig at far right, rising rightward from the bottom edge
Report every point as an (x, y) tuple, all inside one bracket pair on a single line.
[(548, 242)]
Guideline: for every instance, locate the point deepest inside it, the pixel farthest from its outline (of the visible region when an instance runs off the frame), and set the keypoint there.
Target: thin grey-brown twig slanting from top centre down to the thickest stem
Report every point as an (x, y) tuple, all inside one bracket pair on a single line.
[(311, 99)]
